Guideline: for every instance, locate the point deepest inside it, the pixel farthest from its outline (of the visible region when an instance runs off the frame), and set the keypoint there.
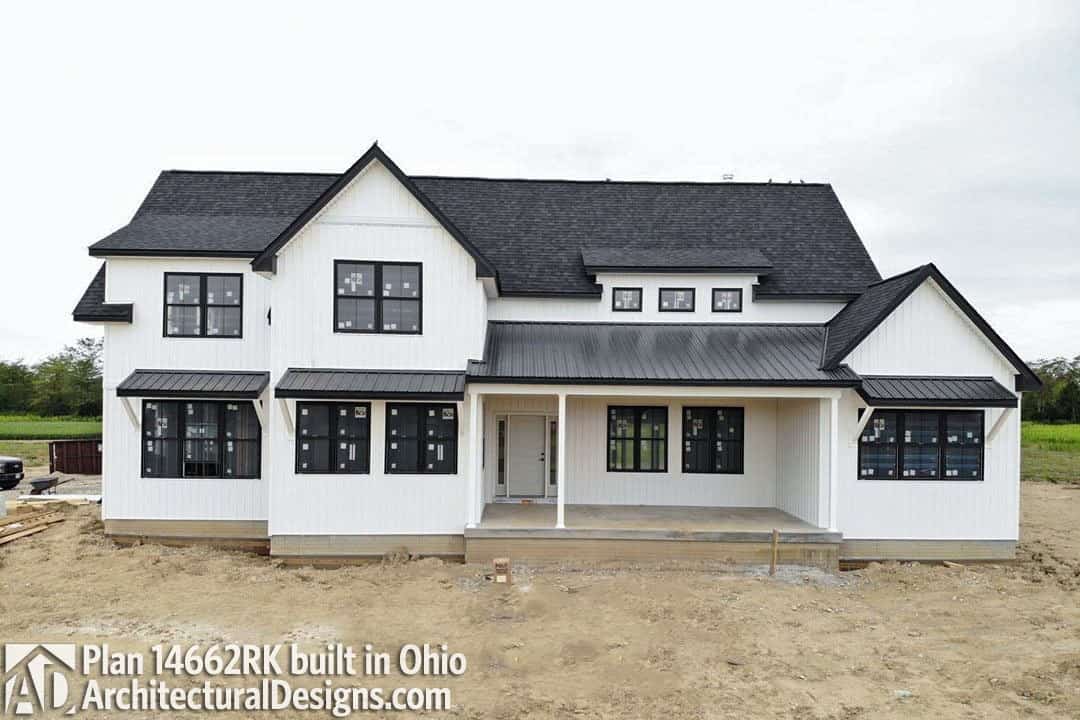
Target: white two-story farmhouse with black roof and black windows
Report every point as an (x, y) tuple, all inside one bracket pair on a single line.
[(339, 366)]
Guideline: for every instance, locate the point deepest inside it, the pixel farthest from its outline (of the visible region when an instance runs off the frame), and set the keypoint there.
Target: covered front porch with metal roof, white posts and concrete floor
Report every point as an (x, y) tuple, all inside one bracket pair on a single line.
[(654, 441)]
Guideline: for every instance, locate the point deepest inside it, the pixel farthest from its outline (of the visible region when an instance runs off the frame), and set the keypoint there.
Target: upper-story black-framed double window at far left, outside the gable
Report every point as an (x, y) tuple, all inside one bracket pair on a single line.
[(204, 306)]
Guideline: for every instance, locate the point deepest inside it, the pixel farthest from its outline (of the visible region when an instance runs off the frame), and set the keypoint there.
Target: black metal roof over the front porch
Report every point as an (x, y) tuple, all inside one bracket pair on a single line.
[(642, 354)]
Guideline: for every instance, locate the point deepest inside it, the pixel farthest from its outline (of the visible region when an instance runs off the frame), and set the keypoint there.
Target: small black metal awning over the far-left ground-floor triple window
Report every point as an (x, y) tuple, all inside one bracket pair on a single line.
[(229, 385)]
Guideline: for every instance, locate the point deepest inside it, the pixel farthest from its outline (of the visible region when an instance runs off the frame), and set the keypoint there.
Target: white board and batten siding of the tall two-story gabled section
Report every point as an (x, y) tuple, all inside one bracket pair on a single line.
[(375, 219)]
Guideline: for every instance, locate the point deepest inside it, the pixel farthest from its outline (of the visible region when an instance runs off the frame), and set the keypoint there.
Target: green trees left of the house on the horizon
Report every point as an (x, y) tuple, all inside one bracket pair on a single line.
[(69, 383)]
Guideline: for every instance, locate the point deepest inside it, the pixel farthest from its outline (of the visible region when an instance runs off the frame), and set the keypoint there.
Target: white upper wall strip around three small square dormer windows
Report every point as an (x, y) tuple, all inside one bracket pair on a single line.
[(593, 310)]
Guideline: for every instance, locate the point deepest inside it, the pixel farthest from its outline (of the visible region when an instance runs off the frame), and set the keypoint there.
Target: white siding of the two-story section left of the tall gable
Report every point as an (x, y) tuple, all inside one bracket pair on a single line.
[(143, 345)]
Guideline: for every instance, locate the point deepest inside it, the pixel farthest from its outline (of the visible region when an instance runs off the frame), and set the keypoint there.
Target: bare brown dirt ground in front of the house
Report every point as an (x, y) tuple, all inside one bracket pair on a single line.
[(611, 642)]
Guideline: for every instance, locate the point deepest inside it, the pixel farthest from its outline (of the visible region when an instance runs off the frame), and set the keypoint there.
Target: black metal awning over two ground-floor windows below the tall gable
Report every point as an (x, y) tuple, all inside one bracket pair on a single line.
[(372, 385)]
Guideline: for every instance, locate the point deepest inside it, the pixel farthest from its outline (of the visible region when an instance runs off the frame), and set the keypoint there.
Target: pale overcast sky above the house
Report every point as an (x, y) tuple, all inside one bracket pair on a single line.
[(950, 131)]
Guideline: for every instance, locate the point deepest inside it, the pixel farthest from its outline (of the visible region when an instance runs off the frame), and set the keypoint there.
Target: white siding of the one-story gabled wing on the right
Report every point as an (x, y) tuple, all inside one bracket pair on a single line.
[(928, 335)]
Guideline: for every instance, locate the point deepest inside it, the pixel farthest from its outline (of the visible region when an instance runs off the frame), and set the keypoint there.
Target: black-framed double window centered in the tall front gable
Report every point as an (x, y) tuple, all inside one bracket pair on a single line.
[(379, 297)]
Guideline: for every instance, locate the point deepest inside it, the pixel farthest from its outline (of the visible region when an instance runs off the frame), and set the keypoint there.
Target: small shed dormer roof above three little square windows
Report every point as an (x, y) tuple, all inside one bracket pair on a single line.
[(685, 260)]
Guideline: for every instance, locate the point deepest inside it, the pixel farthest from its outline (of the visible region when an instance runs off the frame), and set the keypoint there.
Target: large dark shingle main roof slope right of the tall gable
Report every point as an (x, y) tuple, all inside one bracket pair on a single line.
[(534, 230)]
